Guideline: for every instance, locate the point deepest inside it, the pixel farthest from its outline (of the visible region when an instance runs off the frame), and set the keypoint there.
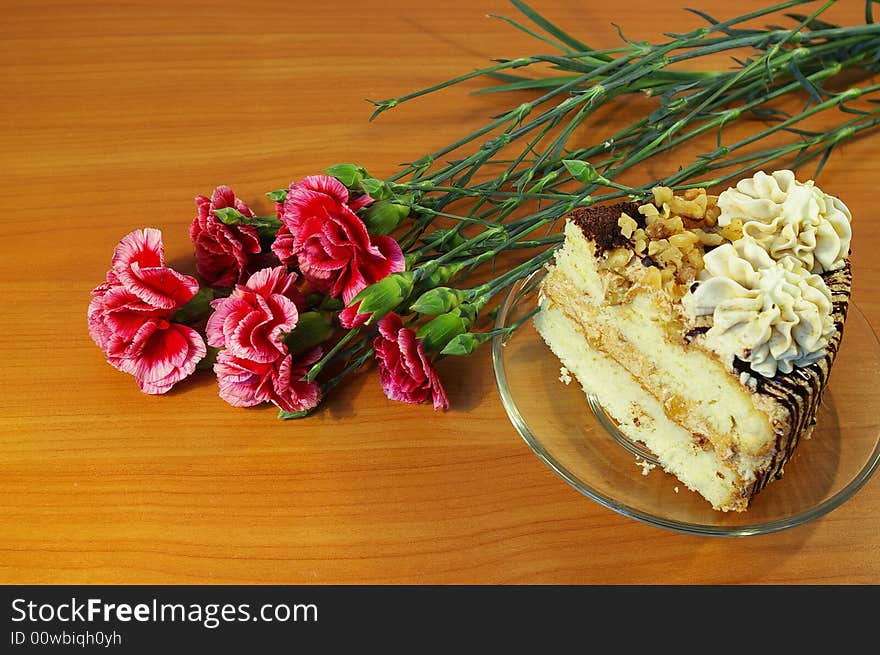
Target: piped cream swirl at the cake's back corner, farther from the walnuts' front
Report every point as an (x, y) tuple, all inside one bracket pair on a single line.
[(790, 218)]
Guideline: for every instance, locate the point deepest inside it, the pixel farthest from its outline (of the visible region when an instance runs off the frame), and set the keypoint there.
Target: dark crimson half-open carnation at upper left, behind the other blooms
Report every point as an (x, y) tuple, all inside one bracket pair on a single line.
[(222, 250)]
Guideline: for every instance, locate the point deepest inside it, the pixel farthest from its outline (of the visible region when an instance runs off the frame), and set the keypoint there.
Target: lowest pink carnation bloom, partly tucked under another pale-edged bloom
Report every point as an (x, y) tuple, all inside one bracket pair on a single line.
[(245, 383)]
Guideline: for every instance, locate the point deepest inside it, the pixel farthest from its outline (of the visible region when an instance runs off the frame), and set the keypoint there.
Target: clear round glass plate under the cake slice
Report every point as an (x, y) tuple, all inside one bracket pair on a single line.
[(579, 443)]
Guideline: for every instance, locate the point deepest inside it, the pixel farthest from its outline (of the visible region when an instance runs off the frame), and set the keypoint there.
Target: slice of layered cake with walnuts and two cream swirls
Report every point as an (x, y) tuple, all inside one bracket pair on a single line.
[(705, 326)]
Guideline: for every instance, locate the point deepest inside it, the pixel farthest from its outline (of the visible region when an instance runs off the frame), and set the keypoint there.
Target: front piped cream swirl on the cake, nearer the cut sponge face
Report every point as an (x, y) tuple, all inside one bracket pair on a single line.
[(775, 315)]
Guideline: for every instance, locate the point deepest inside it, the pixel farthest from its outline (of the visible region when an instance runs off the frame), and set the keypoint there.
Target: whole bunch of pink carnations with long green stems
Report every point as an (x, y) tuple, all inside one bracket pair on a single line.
[(401, 271)]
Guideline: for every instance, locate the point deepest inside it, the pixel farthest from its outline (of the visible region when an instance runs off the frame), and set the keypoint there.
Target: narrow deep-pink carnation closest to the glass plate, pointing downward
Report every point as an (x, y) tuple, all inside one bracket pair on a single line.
[(405, 372)]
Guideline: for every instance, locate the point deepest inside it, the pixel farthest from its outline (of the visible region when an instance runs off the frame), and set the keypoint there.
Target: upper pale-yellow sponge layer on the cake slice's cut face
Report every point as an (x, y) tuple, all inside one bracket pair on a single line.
[(693, 384)]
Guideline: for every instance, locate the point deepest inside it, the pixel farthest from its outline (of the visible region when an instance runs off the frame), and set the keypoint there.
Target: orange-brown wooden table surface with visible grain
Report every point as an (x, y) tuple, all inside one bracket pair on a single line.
[(115, 116)]
